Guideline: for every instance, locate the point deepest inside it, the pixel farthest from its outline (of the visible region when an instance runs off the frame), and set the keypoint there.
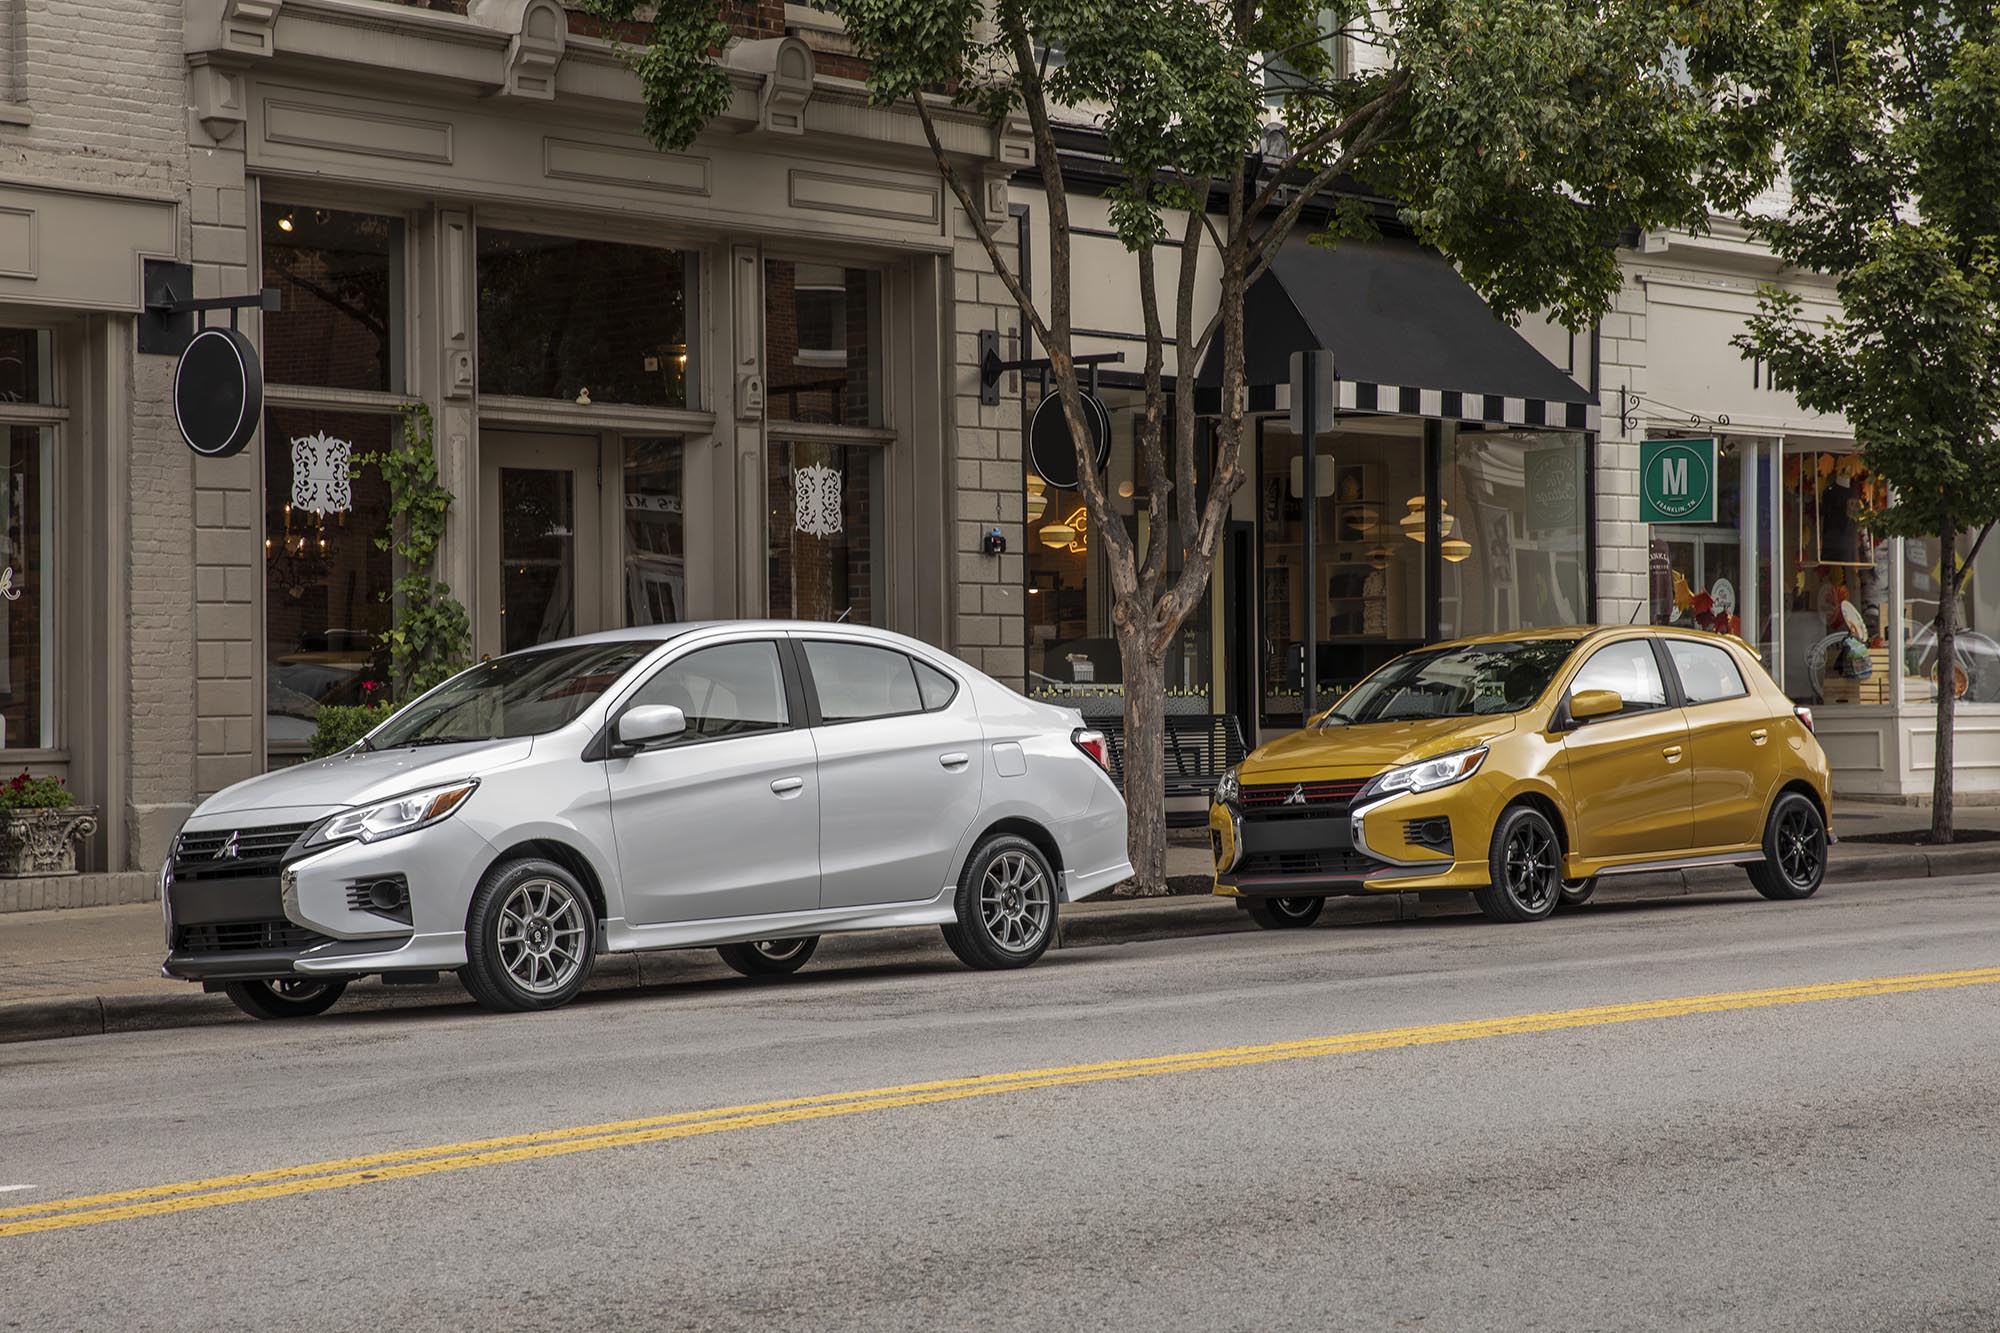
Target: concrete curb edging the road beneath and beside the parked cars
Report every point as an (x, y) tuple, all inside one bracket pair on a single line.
[(1087, 926)]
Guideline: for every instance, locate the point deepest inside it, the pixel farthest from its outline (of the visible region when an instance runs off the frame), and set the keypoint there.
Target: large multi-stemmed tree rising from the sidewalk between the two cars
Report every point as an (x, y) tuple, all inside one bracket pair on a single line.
[(1521, 137)]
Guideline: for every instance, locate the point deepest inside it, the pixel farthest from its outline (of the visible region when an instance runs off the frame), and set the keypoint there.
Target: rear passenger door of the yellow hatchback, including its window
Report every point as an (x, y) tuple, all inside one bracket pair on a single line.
[(1733, 746)]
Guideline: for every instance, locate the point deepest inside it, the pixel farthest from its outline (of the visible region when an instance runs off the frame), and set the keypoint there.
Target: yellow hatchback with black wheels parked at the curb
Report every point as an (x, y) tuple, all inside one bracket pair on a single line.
[(1523, 768)]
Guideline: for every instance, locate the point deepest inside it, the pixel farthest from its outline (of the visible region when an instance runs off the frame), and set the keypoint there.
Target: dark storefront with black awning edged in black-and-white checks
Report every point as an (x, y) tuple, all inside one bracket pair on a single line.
[(1453, 497)]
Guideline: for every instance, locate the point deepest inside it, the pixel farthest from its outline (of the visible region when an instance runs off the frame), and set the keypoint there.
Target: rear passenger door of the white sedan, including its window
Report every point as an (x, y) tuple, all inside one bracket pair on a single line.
[(899, 778)]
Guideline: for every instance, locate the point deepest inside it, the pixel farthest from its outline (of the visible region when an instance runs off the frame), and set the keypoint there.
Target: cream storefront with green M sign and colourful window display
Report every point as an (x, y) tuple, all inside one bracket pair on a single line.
[(1757, 527)]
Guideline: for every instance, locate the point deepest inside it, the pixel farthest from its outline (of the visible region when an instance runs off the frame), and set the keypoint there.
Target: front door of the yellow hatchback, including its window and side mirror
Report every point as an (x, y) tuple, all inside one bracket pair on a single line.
[(1631, 782)]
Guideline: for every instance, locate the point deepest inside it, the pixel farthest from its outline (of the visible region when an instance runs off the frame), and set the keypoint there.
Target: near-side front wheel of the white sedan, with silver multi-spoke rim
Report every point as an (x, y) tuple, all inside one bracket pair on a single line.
[(531, 938)]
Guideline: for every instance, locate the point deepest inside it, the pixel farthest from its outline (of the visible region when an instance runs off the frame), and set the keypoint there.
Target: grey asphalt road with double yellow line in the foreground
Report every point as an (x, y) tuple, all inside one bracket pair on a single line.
[(1343, 1128)]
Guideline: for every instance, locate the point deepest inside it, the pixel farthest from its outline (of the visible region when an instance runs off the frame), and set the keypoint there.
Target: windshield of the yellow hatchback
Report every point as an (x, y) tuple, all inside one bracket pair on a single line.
[(1467, 682)]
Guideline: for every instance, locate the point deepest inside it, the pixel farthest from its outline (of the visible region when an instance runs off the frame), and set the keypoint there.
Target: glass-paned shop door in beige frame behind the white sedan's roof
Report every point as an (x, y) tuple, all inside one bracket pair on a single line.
[(539, 541)]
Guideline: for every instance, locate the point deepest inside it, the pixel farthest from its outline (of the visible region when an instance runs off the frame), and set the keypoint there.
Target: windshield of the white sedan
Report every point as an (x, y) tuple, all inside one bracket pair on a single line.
[(517, 696)]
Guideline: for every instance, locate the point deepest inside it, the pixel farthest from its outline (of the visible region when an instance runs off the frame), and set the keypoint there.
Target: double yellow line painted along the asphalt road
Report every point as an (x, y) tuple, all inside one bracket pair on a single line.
[(407, 1164)]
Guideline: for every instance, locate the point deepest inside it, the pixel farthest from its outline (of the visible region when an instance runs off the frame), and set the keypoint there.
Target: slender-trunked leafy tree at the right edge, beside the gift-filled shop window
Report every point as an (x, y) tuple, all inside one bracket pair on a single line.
[(1895, 187)]
